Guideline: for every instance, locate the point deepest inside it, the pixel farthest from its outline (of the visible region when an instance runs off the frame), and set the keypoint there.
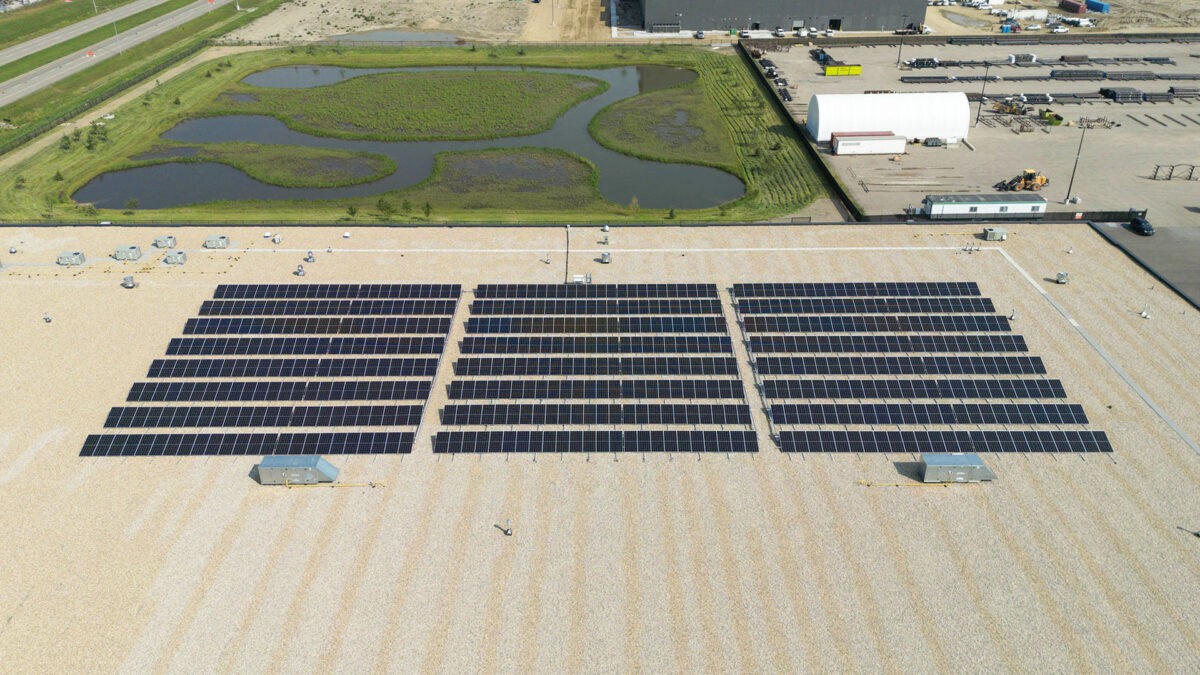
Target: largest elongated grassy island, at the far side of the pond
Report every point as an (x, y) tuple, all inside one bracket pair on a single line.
[(417, 106)]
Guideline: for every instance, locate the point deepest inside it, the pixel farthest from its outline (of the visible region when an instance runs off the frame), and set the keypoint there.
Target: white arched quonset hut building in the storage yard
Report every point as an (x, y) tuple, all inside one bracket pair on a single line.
[(937, 115)]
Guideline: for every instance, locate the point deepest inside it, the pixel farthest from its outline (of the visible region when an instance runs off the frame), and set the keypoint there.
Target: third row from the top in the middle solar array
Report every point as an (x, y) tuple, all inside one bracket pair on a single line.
[(597, 325)]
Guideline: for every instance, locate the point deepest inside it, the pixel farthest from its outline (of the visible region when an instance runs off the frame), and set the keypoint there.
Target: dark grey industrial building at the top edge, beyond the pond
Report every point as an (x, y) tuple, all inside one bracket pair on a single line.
[(673, 16)]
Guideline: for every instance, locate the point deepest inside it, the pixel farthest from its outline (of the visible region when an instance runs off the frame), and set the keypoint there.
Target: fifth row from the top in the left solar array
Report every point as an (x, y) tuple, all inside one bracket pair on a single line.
[(295, 368)]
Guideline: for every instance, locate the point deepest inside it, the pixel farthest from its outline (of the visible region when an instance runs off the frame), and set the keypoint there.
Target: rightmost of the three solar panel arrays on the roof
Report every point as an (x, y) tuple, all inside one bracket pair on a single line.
[(902, 368)]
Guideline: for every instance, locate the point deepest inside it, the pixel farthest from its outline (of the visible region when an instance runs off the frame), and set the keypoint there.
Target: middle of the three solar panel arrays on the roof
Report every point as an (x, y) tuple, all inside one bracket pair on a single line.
[(646, 368)]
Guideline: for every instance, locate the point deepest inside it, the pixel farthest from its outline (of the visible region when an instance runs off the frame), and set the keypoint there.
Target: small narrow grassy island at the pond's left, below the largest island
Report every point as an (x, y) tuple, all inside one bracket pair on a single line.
[(286, 165)]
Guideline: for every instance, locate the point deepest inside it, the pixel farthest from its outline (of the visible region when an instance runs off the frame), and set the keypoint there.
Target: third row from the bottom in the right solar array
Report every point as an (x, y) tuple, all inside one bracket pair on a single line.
[(914, 390)]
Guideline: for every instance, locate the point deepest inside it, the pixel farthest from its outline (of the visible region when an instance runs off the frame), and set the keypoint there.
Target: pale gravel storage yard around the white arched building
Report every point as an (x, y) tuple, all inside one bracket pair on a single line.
[(1115, 165)]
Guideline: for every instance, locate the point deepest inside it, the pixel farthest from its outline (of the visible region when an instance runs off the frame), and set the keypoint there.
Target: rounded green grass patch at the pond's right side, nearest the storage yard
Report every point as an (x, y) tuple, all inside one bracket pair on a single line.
[(671, 126)]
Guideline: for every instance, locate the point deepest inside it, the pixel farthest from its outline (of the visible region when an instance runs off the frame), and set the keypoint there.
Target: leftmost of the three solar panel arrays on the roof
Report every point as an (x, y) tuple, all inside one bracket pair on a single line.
[(364, 354)]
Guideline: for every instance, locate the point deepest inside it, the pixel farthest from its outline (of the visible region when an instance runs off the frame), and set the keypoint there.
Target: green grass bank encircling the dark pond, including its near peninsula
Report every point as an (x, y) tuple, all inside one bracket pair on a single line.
[(739, 130)]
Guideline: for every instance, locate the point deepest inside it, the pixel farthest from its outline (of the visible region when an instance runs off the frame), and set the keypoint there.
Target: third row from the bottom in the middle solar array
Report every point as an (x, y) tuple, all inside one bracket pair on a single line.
[(500, 390)]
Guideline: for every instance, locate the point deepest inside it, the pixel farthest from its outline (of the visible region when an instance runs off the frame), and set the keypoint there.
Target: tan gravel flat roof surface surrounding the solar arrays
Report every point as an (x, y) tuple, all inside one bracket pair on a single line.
[(721, 563)]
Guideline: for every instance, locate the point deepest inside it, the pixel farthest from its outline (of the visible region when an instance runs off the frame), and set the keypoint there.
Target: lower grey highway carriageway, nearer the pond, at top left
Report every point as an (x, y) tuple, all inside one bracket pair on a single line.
[(23, 86)]
